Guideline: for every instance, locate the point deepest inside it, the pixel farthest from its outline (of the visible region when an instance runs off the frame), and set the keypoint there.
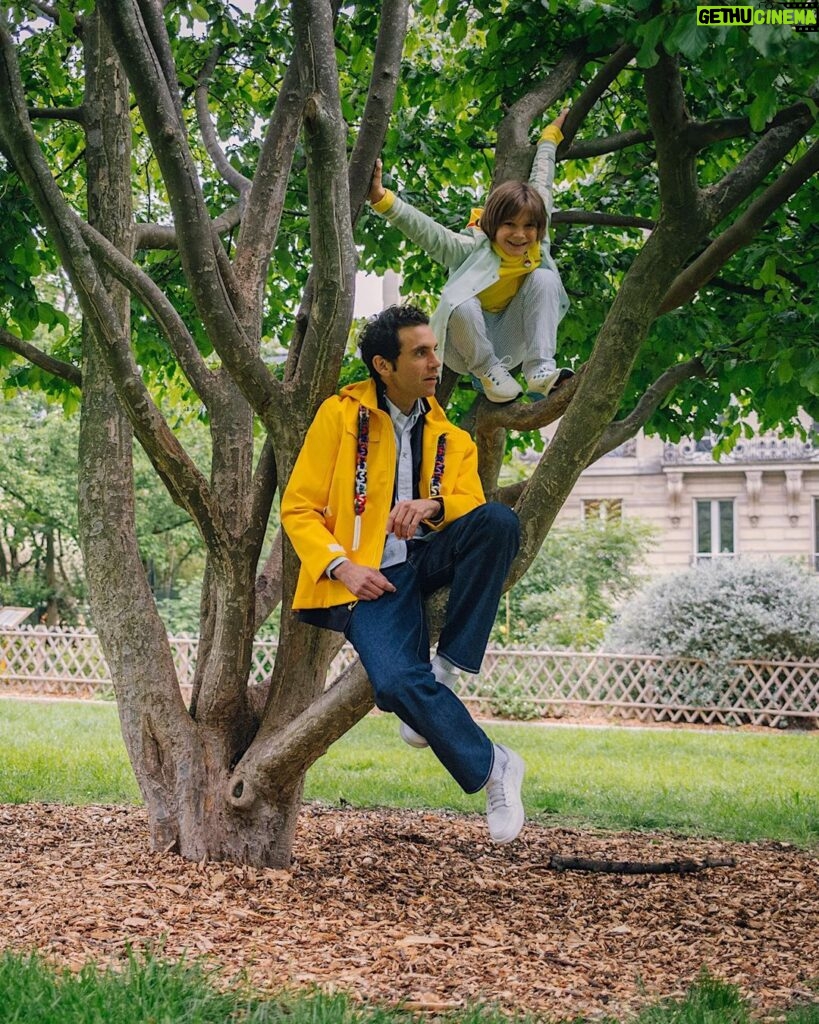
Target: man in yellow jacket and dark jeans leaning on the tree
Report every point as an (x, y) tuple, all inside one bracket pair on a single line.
[(384, 507)]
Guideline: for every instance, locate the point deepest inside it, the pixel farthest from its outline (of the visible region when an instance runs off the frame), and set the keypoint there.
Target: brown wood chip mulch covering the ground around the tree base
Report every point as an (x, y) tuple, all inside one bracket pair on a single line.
[(418, 909)]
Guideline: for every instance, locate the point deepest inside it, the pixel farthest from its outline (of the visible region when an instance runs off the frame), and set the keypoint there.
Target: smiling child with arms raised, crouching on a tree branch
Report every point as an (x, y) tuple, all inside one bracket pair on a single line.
[(504, 300)]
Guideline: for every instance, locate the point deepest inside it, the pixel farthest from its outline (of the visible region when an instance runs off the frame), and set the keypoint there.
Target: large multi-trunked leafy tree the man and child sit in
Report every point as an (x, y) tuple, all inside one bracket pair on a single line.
[(688, 144)]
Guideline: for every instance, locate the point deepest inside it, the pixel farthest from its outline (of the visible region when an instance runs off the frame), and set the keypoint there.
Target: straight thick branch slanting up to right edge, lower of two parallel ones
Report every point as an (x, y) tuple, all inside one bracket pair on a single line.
[(701, 272)]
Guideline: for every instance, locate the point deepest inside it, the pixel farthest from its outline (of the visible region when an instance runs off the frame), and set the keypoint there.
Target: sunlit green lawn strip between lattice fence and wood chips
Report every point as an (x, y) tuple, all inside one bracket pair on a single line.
[(741, 786)]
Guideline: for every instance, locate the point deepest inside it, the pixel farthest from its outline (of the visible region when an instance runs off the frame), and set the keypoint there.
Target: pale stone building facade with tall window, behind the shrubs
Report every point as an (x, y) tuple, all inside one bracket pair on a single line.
[(762, 501)]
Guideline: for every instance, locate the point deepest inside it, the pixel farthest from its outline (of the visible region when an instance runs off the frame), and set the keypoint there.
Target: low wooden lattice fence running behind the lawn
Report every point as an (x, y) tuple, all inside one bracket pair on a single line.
[(513, 684)]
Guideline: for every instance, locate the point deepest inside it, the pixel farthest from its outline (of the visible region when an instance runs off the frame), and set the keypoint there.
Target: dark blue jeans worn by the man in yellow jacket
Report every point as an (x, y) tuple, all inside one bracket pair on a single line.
[(472, 556)]
